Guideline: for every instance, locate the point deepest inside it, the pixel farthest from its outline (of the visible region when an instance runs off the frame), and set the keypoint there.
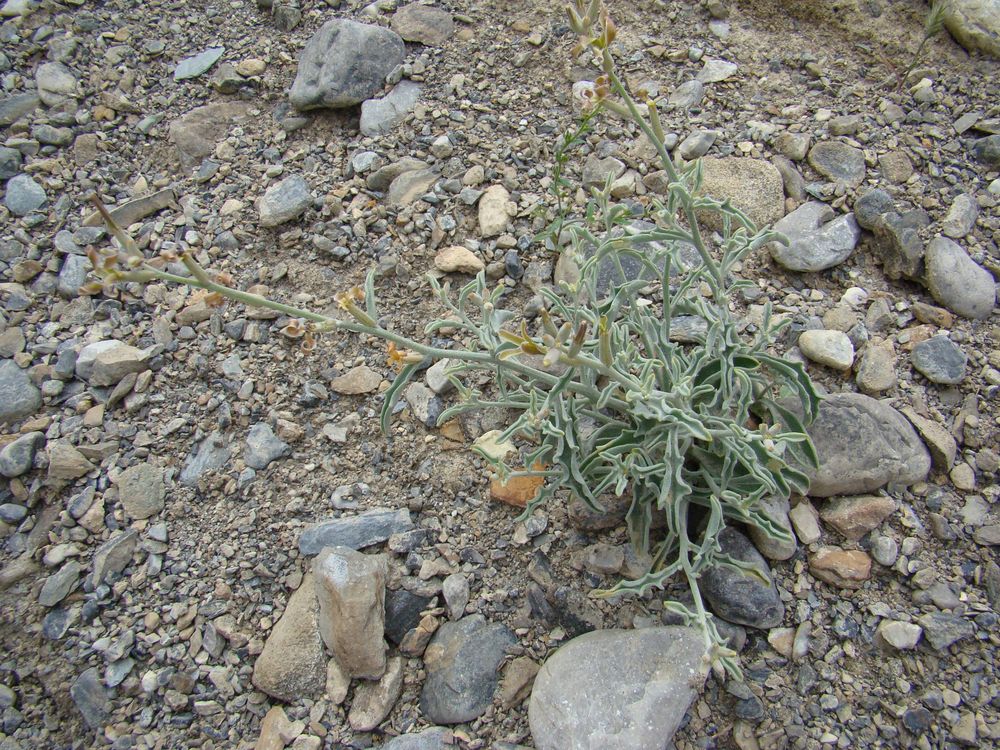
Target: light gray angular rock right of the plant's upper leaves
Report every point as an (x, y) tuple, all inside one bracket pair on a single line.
[(817, 238)]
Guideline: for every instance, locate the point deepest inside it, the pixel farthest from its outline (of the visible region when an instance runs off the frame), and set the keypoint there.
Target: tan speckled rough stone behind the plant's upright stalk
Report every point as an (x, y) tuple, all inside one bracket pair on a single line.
[(752, 185)]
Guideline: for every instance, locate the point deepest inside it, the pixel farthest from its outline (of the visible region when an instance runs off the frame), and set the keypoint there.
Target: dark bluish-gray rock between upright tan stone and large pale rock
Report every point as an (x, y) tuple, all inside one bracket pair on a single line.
[(462, 662)]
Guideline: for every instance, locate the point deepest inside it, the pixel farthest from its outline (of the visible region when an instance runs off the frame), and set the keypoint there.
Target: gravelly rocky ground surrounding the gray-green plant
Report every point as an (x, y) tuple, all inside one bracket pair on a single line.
[(176, 472)]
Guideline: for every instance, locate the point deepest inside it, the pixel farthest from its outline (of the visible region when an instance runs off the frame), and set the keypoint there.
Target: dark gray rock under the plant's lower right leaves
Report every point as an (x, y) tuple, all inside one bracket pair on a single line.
[(737, 596)]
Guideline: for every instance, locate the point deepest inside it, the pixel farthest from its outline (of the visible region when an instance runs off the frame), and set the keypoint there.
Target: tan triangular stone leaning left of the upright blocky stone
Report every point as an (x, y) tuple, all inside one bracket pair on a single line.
[(292, 665)]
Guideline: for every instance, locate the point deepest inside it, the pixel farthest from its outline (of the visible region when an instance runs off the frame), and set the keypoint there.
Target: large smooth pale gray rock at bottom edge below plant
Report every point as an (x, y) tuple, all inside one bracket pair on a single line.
[(617, 689)]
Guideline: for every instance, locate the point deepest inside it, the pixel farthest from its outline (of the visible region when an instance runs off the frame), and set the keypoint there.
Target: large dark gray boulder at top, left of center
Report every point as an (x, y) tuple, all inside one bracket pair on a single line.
[(344, 63)]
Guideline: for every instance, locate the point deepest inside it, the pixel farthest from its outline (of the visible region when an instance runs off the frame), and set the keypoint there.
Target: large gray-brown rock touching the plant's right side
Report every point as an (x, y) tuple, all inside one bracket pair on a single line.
[(863, 444)]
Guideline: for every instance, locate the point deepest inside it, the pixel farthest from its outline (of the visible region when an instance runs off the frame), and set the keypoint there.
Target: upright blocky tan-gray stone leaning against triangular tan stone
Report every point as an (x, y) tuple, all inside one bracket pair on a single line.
[(350, 587)]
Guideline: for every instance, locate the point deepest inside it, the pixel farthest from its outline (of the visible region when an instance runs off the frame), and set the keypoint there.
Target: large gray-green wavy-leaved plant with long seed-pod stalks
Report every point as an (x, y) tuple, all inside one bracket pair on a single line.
[(607, 400)]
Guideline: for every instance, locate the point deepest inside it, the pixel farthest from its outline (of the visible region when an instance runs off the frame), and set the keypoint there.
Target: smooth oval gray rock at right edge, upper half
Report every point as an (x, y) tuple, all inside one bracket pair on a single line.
[(958, 282)]
